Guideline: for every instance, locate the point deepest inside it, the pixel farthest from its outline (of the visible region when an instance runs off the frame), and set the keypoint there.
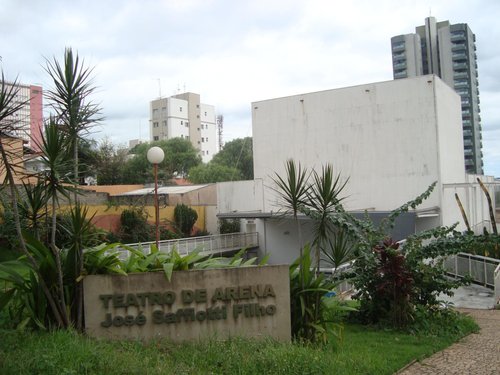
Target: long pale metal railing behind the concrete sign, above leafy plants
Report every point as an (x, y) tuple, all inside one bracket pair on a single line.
[(214, 244)]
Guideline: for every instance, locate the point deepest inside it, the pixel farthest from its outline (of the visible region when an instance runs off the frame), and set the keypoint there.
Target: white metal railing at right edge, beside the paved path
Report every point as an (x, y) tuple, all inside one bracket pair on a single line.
[(482, 270)]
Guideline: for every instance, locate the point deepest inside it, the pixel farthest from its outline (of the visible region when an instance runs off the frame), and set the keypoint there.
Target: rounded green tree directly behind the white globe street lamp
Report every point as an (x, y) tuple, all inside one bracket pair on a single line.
[(180, 157)]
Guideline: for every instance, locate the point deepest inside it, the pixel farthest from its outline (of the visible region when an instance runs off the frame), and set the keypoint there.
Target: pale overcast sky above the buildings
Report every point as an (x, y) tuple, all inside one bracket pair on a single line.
[(234, 52)]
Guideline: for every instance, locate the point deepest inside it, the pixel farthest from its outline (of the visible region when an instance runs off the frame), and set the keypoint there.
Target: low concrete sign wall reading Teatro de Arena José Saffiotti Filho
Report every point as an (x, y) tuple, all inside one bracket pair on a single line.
[(194, 305)]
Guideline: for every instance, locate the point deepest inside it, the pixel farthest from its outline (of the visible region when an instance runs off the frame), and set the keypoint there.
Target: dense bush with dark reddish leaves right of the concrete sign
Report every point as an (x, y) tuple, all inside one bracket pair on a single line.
[(392, 284)]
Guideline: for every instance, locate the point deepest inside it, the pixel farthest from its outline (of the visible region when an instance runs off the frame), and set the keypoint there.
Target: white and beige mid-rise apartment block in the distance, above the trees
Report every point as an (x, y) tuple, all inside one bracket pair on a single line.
[(183, 116)]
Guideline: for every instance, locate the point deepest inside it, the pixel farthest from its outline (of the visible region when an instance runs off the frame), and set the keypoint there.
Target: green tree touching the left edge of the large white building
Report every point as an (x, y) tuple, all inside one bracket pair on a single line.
[(237, 154)]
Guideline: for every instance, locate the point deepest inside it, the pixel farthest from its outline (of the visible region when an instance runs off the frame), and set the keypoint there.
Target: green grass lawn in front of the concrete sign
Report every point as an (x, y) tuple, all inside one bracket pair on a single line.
[(362, 351)]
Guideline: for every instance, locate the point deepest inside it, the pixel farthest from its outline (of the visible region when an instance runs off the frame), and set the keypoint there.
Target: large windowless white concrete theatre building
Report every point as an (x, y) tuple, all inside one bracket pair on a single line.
[(391, 139)]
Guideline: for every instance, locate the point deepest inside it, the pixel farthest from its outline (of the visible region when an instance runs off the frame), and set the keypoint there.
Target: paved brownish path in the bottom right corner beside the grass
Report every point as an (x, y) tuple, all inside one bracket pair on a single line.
[(476, 354)]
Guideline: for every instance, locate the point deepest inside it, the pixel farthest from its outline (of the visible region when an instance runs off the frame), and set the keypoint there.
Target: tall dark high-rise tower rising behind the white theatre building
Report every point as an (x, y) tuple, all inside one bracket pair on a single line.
[(448, 51)]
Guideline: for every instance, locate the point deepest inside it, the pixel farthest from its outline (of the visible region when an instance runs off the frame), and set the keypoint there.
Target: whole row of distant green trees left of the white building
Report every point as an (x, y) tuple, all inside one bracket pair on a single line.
[(114, 165)]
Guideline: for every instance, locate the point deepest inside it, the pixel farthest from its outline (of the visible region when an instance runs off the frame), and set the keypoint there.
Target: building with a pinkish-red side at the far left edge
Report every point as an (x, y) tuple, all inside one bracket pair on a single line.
[(28, 121)]
